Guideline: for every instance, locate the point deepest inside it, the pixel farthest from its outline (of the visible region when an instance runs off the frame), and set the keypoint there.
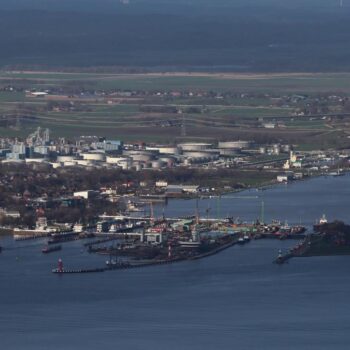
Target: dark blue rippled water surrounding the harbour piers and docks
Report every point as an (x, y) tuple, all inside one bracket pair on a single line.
[(237, 299)]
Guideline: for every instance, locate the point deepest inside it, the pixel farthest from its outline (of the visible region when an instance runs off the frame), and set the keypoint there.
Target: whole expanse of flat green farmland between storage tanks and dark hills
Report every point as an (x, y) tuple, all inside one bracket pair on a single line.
[(124, 118)]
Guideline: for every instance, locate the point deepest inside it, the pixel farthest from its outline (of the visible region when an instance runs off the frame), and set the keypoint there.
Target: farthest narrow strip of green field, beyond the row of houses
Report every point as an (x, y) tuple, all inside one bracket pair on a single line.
[(265, 83)]
